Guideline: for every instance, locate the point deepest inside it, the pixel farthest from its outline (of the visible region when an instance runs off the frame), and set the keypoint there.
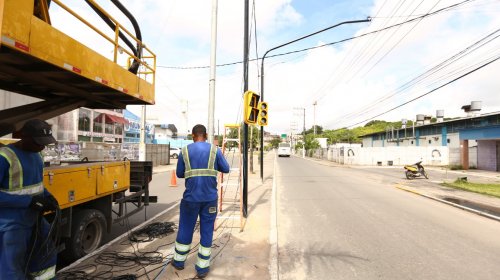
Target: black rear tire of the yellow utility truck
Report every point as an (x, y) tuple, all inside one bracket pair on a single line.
[(87, 230)]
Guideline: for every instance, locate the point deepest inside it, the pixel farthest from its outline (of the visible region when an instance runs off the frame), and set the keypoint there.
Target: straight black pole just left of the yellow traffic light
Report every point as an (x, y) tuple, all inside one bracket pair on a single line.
[(245, 126)]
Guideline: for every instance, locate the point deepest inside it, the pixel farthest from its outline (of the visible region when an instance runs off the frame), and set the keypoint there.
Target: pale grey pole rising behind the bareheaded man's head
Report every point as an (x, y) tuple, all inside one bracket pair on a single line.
[(213, 52)]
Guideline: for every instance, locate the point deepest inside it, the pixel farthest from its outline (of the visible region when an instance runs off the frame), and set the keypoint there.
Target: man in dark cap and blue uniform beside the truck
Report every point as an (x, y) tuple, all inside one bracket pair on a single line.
[(25, 251)]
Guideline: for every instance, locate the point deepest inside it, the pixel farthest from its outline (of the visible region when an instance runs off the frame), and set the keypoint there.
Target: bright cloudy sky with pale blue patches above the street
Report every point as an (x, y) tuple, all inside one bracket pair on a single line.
[(368, 77)]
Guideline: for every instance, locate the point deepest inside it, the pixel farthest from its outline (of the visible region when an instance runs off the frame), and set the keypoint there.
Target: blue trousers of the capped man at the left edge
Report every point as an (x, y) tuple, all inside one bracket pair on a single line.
[(15, 249)]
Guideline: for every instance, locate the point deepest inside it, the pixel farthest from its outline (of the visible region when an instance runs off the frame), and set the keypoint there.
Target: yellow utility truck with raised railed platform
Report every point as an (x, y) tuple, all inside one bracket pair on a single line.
[(40, 61)]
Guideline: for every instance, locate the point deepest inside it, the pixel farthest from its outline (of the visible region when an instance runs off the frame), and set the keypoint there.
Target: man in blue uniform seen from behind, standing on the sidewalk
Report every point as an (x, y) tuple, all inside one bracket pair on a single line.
[(199, 163)]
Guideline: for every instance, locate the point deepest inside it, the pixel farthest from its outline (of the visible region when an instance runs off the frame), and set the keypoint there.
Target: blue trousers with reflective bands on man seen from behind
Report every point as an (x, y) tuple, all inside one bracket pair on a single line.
[(189, 213)]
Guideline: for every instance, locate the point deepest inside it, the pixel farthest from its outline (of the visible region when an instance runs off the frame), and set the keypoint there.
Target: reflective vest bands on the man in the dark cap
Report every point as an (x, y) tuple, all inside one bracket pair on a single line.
[(16, 186)]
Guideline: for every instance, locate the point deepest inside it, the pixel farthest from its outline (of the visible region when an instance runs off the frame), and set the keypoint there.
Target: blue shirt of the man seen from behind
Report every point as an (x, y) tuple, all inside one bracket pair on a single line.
[(201, 188)]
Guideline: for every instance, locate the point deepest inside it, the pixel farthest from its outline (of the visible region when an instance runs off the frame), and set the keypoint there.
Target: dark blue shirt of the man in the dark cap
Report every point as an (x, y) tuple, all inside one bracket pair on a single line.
[(14, 209)]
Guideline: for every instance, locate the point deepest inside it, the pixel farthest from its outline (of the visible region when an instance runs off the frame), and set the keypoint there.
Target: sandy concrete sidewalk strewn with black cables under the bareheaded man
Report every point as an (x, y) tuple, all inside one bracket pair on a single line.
[(236, 254)]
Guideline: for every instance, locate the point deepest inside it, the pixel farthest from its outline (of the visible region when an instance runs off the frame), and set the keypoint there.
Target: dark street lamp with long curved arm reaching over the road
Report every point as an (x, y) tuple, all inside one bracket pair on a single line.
[(262, 79)]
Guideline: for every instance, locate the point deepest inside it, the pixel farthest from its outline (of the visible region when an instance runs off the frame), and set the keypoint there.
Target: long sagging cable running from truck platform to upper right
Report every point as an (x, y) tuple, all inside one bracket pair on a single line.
[(327, 44)]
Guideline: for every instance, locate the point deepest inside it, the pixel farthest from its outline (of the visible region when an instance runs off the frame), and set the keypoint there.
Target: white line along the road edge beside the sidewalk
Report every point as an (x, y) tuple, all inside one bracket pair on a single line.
[(273, 231)]
